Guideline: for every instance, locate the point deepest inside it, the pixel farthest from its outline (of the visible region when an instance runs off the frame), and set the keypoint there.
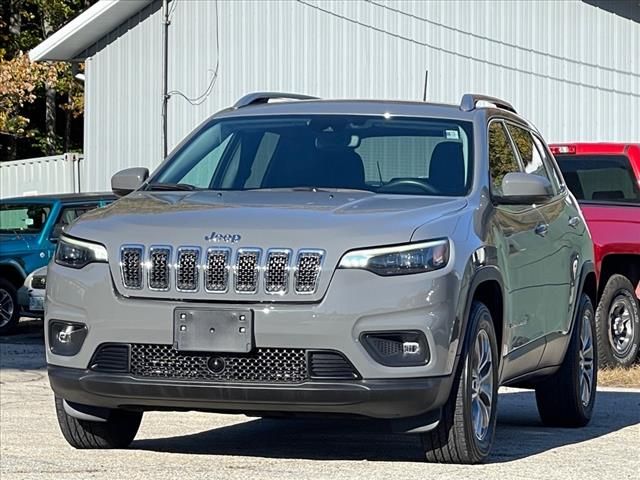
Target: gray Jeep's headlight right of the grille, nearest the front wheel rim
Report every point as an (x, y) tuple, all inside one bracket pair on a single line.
[(400, 260)]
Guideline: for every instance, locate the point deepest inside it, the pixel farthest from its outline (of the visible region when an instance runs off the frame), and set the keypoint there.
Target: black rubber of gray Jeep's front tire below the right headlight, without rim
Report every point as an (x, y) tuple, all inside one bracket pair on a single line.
[(454, 439)]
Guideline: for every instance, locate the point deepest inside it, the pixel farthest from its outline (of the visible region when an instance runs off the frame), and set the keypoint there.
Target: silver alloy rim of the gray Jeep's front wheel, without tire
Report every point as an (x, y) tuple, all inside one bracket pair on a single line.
[(481, 385)]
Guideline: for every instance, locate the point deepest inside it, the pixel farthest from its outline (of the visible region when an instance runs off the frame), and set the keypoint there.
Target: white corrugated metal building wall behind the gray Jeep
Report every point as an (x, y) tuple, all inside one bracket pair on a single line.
[(569, 67)]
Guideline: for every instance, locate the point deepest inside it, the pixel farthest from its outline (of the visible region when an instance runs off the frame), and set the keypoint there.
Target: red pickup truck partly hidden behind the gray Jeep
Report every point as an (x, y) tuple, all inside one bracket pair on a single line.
[(605, 178)]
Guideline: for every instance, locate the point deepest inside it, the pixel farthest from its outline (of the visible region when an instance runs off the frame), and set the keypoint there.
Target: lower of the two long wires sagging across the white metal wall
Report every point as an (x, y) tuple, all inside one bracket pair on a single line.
[(467, 57)]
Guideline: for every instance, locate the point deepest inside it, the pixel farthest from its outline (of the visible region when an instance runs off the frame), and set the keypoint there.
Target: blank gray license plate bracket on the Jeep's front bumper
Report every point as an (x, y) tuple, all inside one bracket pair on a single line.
[(213, 330)]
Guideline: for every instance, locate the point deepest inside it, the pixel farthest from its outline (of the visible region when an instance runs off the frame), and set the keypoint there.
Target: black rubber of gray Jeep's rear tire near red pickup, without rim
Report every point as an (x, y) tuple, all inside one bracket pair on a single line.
[(559, 398)]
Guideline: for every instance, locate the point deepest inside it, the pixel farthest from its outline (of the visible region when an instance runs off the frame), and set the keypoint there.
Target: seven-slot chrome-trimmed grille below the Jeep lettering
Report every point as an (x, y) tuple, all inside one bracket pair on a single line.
[(280, 271)]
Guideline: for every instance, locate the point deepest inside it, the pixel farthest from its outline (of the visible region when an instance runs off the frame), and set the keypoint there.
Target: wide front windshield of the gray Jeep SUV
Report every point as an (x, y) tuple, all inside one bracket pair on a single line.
[(378, 154)]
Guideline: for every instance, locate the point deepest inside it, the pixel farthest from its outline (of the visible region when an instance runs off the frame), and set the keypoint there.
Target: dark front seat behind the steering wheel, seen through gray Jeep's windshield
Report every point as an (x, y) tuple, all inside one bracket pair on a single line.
[(446, 169)]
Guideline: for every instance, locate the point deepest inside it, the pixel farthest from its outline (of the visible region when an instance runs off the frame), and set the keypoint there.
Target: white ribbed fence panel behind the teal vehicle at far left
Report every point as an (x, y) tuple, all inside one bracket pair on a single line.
[(42, 175)]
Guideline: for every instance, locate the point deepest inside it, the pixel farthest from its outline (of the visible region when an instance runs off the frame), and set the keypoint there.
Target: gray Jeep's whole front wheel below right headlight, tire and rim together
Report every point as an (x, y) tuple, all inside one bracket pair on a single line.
[(468, 421)]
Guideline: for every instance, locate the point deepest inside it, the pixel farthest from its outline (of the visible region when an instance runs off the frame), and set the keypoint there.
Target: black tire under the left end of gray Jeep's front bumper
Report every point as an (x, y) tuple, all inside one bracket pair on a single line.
[(117, 432)]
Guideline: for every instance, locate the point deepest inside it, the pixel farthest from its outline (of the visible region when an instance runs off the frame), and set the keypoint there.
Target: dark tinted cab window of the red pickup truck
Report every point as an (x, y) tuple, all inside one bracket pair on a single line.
[(600, 178)]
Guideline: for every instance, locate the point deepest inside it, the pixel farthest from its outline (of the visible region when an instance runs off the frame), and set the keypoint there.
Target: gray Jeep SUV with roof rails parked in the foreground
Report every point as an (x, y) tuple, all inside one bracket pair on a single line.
[(396, 260)]
